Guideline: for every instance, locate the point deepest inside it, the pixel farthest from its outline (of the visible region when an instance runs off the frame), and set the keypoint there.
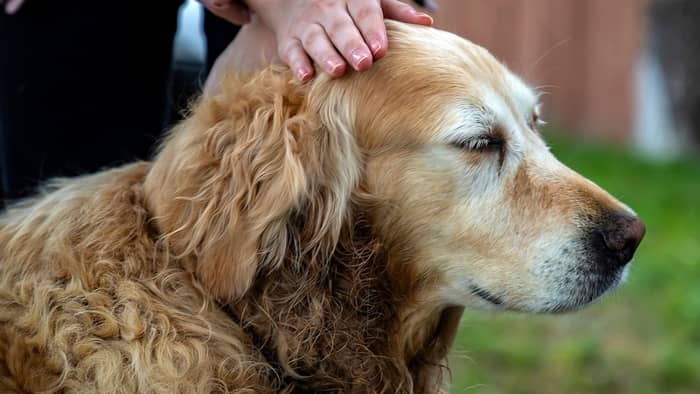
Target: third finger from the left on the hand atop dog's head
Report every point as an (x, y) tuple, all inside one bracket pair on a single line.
[(344, 35)]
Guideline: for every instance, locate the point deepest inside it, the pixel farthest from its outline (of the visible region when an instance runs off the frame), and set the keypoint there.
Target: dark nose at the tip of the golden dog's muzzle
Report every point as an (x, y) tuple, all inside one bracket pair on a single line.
[(621, 236)]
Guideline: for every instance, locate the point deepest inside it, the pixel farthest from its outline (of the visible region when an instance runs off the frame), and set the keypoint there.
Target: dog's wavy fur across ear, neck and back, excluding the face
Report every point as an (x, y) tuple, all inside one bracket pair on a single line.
[(241, 260)]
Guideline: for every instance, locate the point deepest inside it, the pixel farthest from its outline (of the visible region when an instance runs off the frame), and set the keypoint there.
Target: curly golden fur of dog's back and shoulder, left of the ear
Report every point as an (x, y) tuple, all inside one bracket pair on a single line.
[(80, 310)]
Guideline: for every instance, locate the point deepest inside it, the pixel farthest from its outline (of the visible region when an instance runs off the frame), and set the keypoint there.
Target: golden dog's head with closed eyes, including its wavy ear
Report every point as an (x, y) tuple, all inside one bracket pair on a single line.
[(440, 142)]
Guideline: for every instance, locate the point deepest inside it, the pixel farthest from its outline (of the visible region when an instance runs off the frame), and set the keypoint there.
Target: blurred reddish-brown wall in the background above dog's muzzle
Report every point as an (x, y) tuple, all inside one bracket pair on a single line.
[(582, 52)]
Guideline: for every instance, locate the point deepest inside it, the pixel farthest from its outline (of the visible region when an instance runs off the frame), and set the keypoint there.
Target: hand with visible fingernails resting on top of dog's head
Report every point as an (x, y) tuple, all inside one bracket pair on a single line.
[(332, 33)]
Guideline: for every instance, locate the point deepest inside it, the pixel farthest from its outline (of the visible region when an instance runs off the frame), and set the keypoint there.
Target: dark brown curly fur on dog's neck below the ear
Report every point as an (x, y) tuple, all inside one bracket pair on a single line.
[(349, 322)]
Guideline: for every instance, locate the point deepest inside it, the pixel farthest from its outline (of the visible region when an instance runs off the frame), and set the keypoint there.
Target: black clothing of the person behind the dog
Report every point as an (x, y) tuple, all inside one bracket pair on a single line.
[(82, 88)]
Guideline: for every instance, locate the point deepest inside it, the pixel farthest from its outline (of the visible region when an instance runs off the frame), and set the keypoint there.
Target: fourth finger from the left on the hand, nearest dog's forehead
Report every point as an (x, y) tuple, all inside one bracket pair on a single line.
[(369, 19)]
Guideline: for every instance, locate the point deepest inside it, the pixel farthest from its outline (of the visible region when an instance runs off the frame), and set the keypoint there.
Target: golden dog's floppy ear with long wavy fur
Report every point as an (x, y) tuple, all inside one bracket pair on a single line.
[(251, 175)]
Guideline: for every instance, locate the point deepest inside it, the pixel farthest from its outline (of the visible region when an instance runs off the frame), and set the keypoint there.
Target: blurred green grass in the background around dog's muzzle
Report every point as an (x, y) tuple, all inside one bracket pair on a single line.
[(643, 338)]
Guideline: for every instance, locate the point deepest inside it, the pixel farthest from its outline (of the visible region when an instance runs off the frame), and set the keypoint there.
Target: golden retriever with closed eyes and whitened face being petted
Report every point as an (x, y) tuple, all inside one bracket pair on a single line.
[(307, 238)]
